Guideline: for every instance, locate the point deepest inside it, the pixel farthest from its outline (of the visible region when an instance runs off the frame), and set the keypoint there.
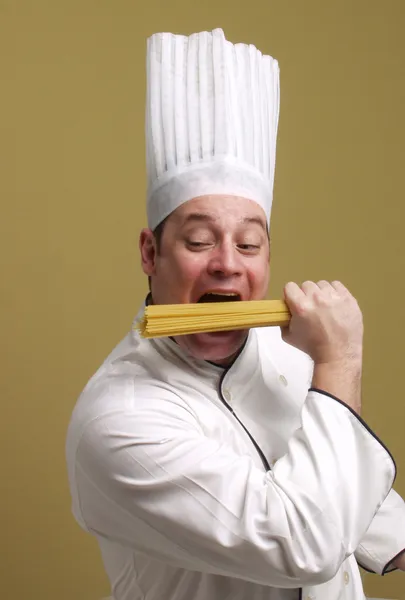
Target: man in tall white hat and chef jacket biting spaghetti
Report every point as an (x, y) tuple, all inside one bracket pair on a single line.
[(229, 466)]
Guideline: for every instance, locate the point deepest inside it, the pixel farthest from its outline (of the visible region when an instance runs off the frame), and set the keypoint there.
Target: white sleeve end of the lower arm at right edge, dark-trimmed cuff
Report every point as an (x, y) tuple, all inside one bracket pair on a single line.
[(385, 538)]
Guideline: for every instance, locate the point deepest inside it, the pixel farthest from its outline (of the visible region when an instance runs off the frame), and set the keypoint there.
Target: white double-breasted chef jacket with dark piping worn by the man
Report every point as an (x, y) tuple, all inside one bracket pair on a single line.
[(205, 483)]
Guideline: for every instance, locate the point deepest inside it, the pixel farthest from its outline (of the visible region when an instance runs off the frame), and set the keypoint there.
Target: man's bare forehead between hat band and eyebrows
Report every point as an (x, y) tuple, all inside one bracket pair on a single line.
[(221, 209)]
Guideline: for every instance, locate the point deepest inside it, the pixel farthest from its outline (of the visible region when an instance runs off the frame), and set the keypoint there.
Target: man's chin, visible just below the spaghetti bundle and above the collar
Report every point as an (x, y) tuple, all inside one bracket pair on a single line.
[(218, 347)]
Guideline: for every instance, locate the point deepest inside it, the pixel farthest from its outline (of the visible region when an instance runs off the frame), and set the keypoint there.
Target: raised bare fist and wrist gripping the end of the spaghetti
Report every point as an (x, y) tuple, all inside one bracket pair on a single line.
[(327, 324)]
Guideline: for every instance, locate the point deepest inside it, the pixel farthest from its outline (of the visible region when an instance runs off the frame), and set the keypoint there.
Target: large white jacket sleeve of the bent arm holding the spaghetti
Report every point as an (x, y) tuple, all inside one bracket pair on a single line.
[(148, 478)]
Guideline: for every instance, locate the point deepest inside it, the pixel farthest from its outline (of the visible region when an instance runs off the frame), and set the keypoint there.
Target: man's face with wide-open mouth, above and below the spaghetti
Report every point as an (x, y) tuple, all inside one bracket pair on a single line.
[(211, 246)]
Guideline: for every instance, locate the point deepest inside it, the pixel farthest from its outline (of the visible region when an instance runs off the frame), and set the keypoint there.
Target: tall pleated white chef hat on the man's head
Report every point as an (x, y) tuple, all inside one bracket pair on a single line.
[(211, 121)]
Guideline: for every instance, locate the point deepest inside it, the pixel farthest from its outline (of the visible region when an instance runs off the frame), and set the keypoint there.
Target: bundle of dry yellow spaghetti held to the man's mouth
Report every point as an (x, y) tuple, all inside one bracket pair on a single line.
[(165, 320)]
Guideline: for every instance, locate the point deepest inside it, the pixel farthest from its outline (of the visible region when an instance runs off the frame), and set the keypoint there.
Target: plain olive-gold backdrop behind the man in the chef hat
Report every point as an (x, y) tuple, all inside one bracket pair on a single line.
[(72, 191)]
